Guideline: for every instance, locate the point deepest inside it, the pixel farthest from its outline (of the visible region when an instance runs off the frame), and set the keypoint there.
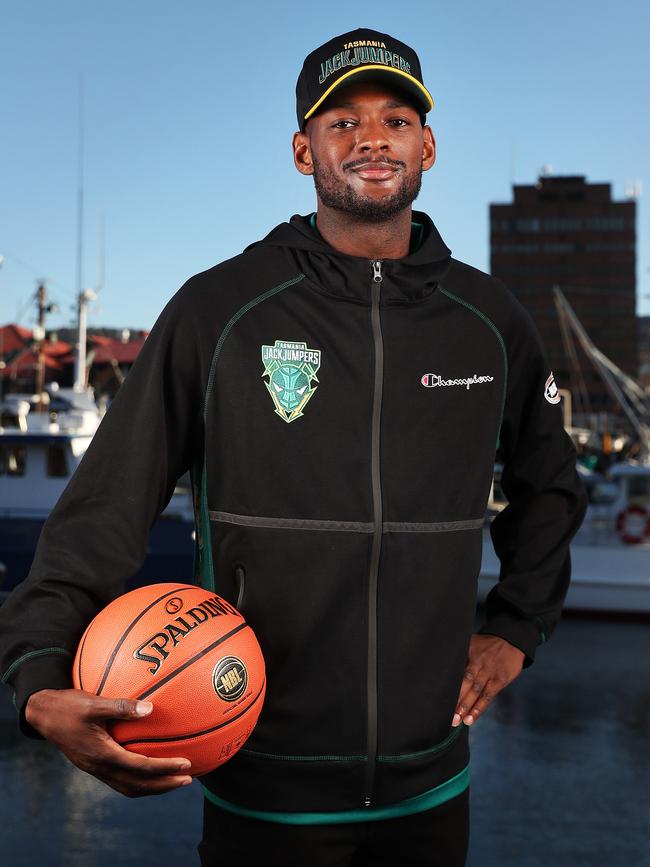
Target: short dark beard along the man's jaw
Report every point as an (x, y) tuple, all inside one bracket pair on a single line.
[(341, 196)]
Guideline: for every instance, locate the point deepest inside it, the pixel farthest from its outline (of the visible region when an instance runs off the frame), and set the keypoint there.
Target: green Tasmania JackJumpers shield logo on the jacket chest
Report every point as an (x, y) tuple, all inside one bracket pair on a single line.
[(291, 369)]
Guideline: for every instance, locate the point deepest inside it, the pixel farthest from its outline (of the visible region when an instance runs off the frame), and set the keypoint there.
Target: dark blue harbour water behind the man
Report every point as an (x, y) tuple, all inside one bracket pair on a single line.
[(560, 774)]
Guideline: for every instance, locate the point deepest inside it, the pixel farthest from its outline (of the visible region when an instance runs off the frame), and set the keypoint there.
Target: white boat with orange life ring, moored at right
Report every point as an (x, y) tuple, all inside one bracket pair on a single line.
[(610, 553)]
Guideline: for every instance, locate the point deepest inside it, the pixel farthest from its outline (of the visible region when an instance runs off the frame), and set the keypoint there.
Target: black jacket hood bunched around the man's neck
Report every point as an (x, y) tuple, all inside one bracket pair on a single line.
[(409, 279)]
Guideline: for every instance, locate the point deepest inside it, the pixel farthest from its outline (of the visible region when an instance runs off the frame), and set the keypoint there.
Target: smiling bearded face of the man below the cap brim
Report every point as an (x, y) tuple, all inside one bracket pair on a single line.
[(367, 150)]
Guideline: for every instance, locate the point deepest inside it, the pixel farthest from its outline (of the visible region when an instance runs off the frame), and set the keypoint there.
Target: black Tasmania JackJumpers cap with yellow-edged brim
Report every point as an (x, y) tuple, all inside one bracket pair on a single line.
[(360, 55)]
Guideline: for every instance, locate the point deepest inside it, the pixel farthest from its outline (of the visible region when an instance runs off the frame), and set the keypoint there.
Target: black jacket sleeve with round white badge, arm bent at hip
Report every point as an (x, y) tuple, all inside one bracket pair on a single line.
[(546, 499)]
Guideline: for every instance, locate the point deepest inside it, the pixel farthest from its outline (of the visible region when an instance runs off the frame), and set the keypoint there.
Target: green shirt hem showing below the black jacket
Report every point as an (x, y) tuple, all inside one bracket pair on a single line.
[(418, 804)]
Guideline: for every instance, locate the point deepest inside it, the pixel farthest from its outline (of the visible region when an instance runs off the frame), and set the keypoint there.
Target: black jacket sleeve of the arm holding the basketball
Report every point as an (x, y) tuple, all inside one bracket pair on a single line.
[(96, 536)]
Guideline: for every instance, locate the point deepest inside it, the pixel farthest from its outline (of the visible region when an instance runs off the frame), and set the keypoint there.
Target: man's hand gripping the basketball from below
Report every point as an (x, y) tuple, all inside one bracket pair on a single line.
[(76, 722)]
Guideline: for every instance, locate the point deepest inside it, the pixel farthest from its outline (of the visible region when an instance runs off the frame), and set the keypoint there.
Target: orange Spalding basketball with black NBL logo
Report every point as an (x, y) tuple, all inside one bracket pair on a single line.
[(191, 654)]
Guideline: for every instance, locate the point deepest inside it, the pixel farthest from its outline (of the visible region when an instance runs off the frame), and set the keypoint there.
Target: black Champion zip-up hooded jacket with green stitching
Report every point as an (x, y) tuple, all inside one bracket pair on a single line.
[(341, 418)]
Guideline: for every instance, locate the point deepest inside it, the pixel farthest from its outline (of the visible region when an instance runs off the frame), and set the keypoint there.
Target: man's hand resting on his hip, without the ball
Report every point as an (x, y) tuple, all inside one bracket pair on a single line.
[(492, 663)]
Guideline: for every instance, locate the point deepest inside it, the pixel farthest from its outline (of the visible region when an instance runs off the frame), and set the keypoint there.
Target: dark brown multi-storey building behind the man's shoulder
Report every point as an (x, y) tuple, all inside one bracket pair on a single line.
[(565, 231)]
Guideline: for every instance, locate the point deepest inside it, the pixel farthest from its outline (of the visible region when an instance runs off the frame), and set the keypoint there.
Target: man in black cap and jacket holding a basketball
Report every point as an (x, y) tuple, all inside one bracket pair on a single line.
[(339, 392)]
